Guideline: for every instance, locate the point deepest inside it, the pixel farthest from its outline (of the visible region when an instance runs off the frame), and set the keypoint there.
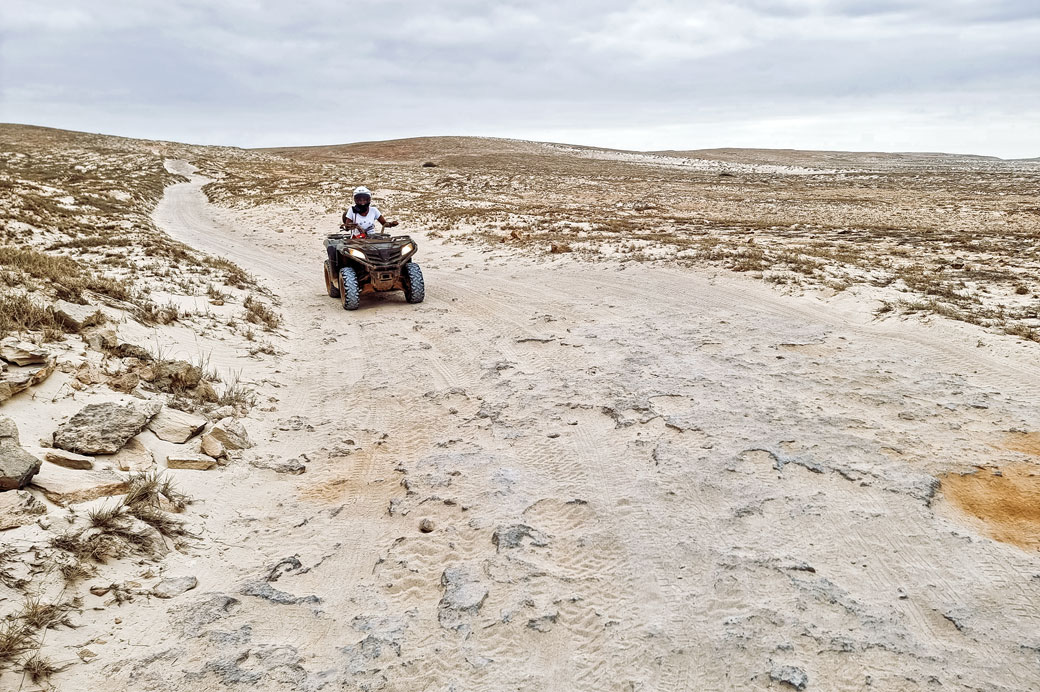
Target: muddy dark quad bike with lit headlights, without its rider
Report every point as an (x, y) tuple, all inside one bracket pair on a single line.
[(377, 263)]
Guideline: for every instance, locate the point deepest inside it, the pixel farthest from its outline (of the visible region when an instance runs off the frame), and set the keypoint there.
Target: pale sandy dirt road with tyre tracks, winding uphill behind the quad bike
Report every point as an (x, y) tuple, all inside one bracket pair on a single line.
[(638, 479)]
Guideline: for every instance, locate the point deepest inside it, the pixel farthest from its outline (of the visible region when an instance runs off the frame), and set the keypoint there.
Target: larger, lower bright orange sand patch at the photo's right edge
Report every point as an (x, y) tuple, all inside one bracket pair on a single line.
[(1007, 505)]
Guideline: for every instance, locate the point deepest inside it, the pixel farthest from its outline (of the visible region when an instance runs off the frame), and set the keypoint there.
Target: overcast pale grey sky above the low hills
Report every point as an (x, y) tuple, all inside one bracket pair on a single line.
[(891, 75)]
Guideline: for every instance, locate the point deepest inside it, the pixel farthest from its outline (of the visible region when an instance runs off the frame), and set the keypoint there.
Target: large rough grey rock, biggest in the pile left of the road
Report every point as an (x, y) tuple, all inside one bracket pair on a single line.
[(103, 428)]
